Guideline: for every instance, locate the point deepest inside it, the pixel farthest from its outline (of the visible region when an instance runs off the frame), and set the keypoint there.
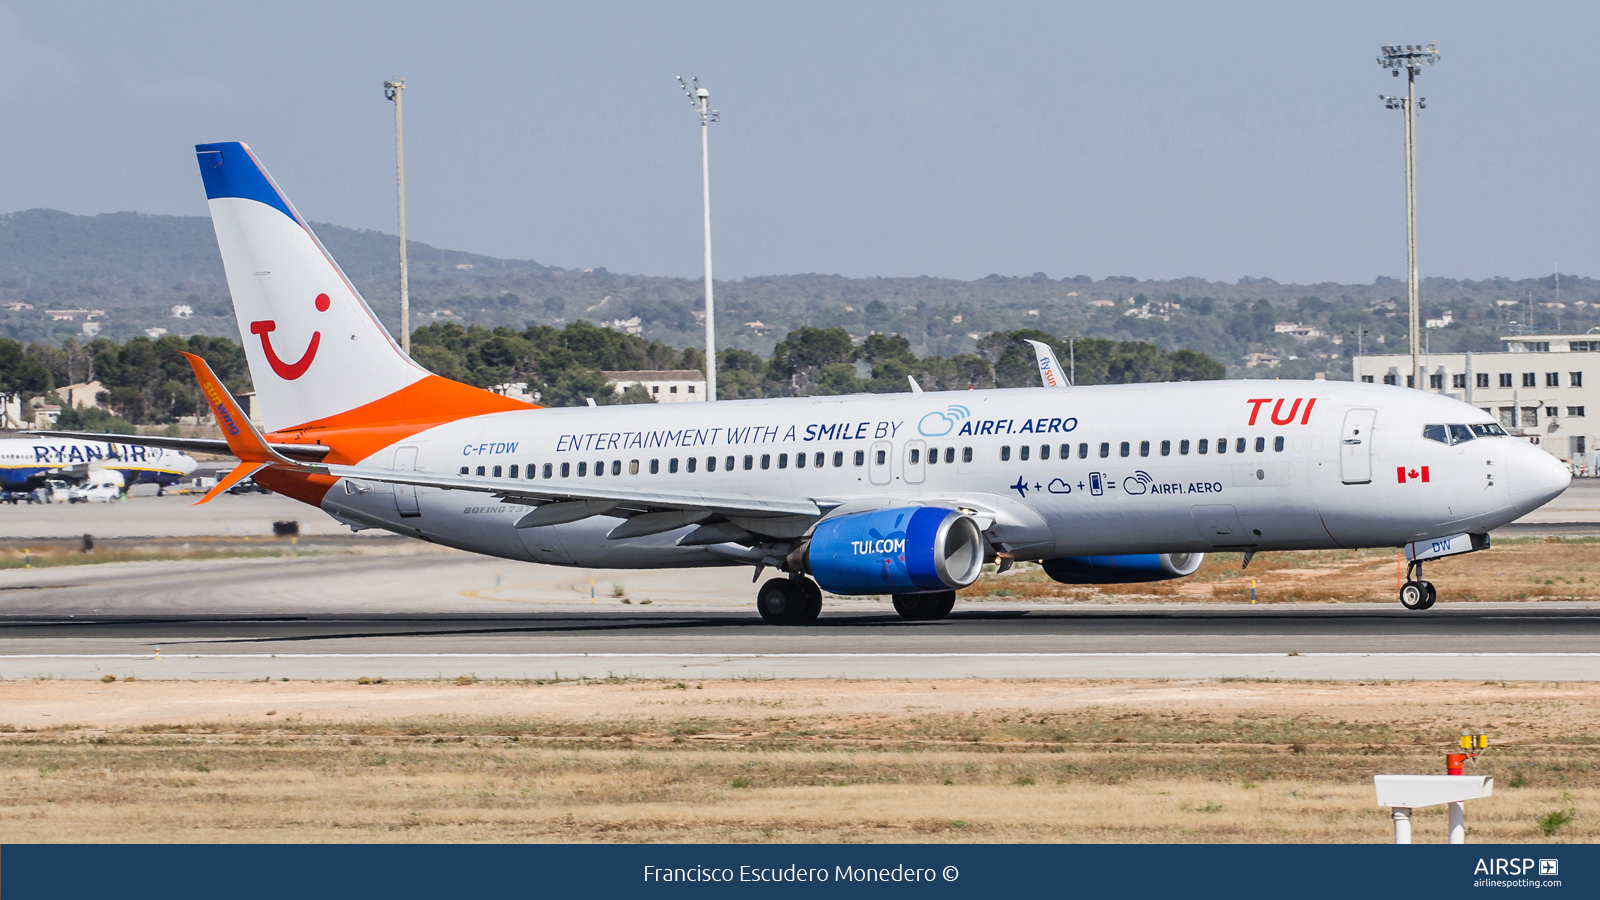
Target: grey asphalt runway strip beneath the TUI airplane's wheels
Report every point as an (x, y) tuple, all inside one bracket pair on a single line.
[(1479, 641)]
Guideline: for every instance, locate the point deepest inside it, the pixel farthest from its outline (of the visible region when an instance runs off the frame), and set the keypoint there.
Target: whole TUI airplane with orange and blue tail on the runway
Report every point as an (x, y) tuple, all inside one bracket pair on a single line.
[(905, 496)]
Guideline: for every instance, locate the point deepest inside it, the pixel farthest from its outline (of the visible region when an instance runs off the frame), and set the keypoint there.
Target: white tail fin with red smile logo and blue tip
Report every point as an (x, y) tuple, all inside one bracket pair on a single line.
[(319, 358)]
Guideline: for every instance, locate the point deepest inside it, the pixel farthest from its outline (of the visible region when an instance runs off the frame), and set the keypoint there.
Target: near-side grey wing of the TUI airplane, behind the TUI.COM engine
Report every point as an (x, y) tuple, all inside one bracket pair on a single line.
[(567, 504)]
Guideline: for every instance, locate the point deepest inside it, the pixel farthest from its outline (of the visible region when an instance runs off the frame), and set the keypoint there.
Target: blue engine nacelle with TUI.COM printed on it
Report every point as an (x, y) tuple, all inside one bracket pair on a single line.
[(905, 550)]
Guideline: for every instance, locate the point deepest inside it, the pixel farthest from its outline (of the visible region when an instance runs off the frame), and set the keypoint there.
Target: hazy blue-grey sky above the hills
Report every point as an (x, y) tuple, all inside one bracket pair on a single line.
[(1153, 140)]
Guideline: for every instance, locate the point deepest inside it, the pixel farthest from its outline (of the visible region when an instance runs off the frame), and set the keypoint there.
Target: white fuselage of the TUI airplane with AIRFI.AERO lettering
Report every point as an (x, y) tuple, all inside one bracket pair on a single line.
[(1106, 470)]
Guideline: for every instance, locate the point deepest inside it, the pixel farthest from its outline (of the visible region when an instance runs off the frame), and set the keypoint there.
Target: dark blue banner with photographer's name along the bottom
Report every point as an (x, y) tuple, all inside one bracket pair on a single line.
[(671, 870)]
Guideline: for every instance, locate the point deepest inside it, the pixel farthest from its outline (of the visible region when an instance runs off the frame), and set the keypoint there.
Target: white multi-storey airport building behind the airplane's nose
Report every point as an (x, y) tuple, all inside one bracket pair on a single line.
[(1540, 388)]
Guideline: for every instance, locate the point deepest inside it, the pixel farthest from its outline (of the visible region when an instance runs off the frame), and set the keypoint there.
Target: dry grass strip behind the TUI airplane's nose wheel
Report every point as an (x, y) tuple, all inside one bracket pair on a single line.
[(1519, 569)]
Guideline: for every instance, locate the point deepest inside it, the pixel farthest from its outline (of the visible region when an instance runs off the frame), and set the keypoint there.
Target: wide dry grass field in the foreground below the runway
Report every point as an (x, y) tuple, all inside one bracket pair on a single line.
[(783, 761)]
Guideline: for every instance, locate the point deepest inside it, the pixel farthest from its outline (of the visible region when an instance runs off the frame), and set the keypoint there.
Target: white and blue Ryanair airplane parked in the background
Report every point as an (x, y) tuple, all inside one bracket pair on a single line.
[(28, 464)]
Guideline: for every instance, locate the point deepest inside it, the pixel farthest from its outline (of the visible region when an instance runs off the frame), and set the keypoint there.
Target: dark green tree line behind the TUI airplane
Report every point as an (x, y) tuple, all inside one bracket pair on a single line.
[(148, 382)]
